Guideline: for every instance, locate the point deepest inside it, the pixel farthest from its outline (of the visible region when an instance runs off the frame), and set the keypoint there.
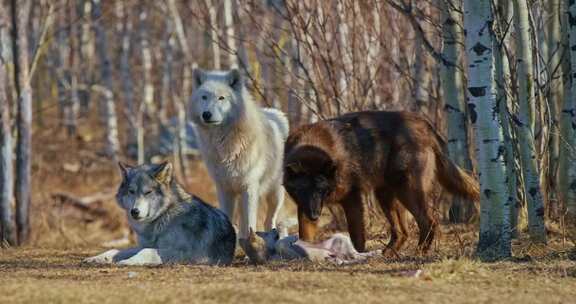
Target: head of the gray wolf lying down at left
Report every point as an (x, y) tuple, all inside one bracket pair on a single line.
[(144, 193)]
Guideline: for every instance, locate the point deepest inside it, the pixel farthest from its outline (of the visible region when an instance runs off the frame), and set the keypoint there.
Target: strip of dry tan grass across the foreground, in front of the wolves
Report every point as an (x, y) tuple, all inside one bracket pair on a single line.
[(55, 276)]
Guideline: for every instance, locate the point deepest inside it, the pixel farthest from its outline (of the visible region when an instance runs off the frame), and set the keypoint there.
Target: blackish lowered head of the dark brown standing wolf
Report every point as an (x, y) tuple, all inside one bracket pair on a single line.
[(309, 178)]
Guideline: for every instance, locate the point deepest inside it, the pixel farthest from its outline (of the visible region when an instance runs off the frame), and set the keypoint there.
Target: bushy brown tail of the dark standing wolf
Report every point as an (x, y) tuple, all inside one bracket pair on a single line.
[(456, 180)]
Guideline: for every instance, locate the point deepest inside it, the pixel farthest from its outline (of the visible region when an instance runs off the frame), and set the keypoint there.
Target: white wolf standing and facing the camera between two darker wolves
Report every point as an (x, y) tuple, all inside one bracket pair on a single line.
[(241, 144)]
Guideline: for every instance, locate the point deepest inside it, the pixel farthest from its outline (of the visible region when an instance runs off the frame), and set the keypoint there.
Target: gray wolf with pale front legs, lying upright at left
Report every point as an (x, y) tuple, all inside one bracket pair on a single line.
[(172, 226)]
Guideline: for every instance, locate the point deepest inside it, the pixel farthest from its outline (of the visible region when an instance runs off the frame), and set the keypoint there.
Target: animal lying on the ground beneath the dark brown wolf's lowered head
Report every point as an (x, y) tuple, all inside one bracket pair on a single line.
[(267, 246)]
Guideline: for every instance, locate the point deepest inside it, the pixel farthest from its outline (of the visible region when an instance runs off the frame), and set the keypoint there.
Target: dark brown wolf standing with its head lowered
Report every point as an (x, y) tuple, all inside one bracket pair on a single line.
[(398, 155)]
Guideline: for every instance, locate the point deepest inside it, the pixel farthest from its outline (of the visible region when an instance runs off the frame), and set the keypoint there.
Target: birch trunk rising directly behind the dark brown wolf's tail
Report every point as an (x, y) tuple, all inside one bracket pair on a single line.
[(452, 78)]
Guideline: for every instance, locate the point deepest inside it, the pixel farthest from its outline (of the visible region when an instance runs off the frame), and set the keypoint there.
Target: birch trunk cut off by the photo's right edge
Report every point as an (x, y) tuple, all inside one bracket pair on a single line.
[(568, 134)]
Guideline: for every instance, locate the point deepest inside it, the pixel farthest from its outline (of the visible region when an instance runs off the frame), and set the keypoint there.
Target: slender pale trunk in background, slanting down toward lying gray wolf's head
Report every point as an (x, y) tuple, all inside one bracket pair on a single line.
[(110, 119)]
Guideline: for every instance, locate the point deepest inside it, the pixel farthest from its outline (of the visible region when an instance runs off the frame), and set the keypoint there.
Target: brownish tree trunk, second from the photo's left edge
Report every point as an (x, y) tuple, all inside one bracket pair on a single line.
[(20, 12)]
